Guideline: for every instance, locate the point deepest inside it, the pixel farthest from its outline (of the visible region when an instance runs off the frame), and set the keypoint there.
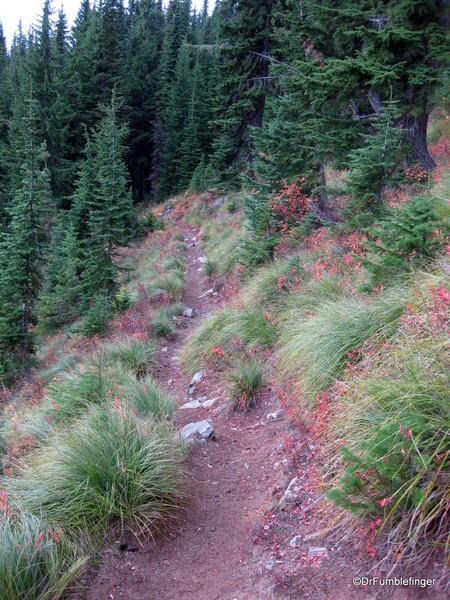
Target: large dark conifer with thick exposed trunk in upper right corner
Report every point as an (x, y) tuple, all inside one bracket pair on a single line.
[(370, 47)]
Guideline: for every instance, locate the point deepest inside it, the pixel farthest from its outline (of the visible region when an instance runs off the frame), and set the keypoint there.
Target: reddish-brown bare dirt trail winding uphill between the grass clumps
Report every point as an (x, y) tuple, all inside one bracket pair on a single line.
[(233, 540)]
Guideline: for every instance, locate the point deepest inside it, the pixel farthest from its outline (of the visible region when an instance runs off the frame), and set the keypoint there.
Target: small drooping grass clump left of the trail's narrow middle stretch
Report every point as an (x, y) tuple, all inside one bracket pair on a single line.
[(131, 354)]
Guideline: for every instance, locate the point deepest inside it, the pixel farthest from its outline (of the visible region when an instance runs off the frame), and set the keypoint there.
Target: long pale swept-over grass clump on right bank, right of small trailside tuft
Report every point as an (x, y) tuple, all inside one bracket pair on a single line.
[(316, 350)]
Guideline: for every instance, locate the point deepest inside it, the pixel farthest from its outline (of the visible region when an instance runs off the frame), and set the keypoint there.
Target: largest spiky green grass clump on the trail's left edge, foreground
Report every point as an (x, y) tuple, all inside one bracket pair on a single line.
[(111, 469)]
